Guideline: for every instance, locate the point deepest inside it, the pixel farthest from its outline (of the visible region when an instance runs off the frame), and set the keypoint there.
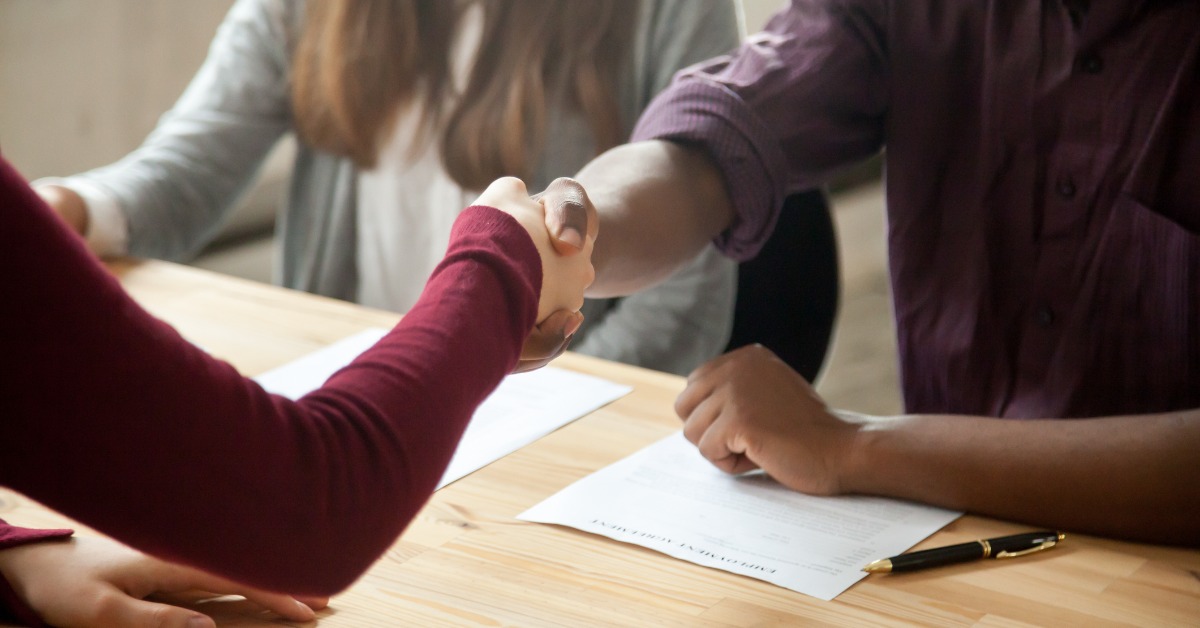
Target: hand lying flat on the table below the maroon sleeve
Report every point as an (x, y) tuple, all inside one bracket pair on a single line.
[(95, 582)]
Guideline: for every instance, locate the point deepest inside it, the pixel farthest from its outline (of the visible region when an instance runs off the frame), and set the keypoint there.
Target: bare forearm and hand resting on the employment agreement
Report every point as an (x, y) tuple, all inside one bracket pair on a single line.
[(1135, 477)]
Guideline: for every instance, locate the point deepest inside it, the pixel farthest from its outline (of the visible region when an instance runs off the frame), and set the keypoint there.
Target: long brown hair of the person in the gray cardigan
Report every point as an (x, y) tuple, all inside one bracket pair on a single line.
[(359, 62)]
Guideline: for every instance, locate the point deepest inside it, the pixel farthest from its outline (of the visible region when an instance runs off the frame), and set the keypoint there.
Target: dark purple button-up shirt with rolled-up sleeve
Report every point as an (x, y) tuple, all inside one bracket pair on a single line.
[(1043, 184)]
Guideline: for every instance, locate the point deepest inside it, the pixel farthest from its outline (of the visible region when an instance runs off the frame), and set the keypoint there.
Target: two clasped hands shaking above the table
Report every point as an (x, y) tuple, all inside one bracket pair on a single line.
[(565, 226)]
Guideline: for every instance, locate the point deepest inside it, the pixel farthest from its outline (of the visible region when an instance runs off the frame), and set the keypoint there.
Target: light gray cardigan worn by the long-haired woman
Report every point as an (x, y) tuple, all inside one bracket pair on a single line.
[(179, 187)]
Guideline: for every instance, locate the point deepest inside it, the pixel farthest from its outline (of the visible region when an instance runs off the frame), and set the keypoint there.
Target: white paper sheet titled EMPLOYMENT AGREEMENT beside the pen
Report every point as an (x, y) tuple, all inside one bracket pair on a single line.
[(669, 499)]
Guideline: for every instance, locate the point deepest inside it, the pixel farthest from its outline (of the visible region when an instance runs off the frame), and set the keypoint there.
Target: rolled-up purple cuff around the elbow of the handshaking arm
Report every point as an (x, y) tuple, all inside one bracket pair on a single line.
[(709, 115)]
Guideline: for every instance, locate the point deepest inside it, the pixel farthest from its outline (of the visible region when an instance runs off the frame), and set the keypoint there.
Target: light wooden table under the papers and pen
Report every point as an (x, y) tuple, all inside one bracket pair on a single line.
[(467, 561)]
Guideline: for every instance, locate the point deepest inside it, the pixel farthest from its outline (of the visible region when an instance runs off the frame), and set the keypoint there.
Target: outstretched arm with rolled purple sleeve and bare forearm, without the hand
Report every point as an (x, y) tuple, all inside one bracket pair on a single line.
[(717, 153)]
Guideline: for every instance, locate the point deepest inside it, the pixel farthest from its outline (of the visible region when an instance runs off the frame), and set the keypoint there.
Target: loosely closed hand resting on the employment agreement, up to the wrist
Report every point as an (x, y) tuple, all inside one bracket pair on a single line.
[(748, 410)]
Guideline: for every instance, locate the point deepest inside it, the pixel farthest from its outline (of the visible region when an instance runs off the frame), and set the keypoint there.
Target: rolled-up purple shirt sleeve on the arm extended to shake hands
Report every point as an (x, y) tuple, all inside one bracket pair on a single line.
[(784, 112)]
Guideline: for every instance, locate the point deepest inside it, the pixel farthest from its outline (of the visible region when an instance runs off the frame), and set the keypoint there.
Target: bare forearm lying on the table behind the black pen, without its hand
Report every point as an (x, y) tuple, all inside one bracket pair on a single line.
[(1130, 477)]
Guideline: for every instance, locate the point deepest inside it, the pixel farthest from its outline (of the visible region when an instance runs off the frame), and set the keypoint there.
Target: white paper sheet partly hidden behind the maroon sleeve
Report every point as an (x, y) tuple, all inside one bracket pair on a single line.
[(525, 408)]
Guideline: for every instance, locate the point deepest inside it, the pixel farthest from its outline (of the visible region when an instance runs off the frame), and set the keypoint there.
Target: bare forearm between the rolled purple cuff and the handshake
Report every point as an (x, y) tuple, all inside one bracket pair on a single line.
[(661, 204)]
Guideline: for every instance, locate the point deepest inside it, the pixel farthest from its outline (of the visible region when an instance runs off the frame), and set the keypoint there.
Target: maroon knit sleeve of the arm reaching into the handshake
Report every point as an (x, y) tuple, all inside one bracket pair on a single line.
[(109, 416)]
